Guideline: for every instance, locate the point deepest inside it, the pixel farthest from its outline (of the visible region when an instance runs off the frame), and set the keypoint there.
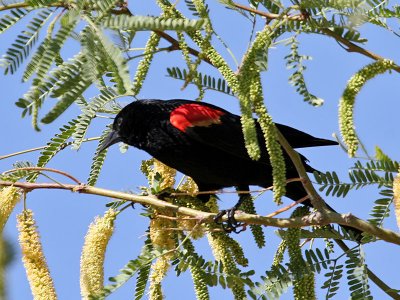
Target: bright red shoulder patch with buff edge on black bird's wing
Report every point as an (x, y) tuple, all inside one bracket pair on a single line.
[(190, 115)]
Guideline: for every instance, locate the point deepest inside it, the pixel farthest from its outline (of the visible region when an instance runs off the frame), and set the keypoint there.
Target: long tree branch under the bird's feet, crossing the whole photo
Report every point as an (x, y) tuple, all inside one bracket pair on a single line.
[(313, 219)]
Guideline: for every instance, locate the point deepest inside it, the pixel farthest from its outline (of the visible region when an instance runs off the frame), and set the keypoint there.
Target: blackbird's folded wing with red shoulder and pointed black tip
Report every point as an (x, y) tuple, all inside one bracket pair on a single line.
[(218, 128)]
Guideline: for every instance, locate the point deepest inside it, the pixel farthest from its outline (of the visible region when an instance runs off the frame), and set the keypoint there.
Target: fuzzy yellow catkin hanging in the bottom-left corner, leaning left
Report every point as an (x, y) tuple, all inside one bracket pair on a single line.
[(38, 274)]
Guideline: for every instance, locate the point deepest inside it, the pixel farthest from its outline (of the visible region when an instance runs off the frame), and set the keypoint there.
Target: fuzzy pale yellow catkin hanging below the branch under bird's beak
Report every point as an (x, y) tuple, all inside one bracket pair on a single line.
[(93, 254)]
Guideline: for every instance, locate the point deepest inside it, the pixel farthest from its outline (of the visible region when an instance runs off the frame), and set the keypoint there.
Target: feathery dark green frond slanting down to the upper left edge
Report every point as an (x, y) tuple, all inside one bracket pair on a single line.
[(22, 46)]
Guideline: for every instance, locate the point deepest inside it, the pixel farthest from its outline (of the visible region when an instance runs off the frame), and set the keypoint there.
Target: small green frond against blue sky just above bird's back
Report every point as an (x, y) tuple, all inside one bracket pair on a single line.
[(207, 82)]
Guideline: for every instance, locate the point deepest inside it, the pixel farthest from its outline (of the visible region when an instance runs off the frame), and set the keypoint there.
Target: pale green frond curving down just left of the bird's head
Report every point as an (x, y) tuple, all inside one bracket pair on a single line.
[(88, 113)]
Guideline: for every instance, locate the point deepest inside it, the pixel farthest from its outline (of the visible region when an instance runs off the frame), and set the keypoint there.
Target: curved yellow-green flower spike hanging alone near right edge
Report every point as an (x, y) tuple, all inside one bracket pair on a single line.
[(347, 101)]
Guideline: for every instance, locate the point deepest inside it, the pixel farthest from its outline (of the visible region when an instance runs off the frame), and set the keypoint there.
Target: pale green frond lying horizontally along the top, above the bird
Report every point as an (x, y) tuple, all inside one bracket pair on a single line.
[(142, 23)]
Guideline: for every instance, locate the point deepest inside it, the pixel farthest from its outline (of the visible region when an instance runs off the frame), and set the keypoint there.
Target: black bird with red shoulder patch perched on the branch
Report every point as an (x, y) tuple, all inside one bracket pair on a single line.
[(206, 143)]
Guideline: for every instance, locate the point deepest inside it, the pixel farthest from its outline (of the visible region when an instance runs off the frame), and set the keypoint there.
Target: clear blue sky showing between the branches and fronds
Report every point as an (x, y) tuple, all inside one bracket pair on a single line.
[(63, 216)]
